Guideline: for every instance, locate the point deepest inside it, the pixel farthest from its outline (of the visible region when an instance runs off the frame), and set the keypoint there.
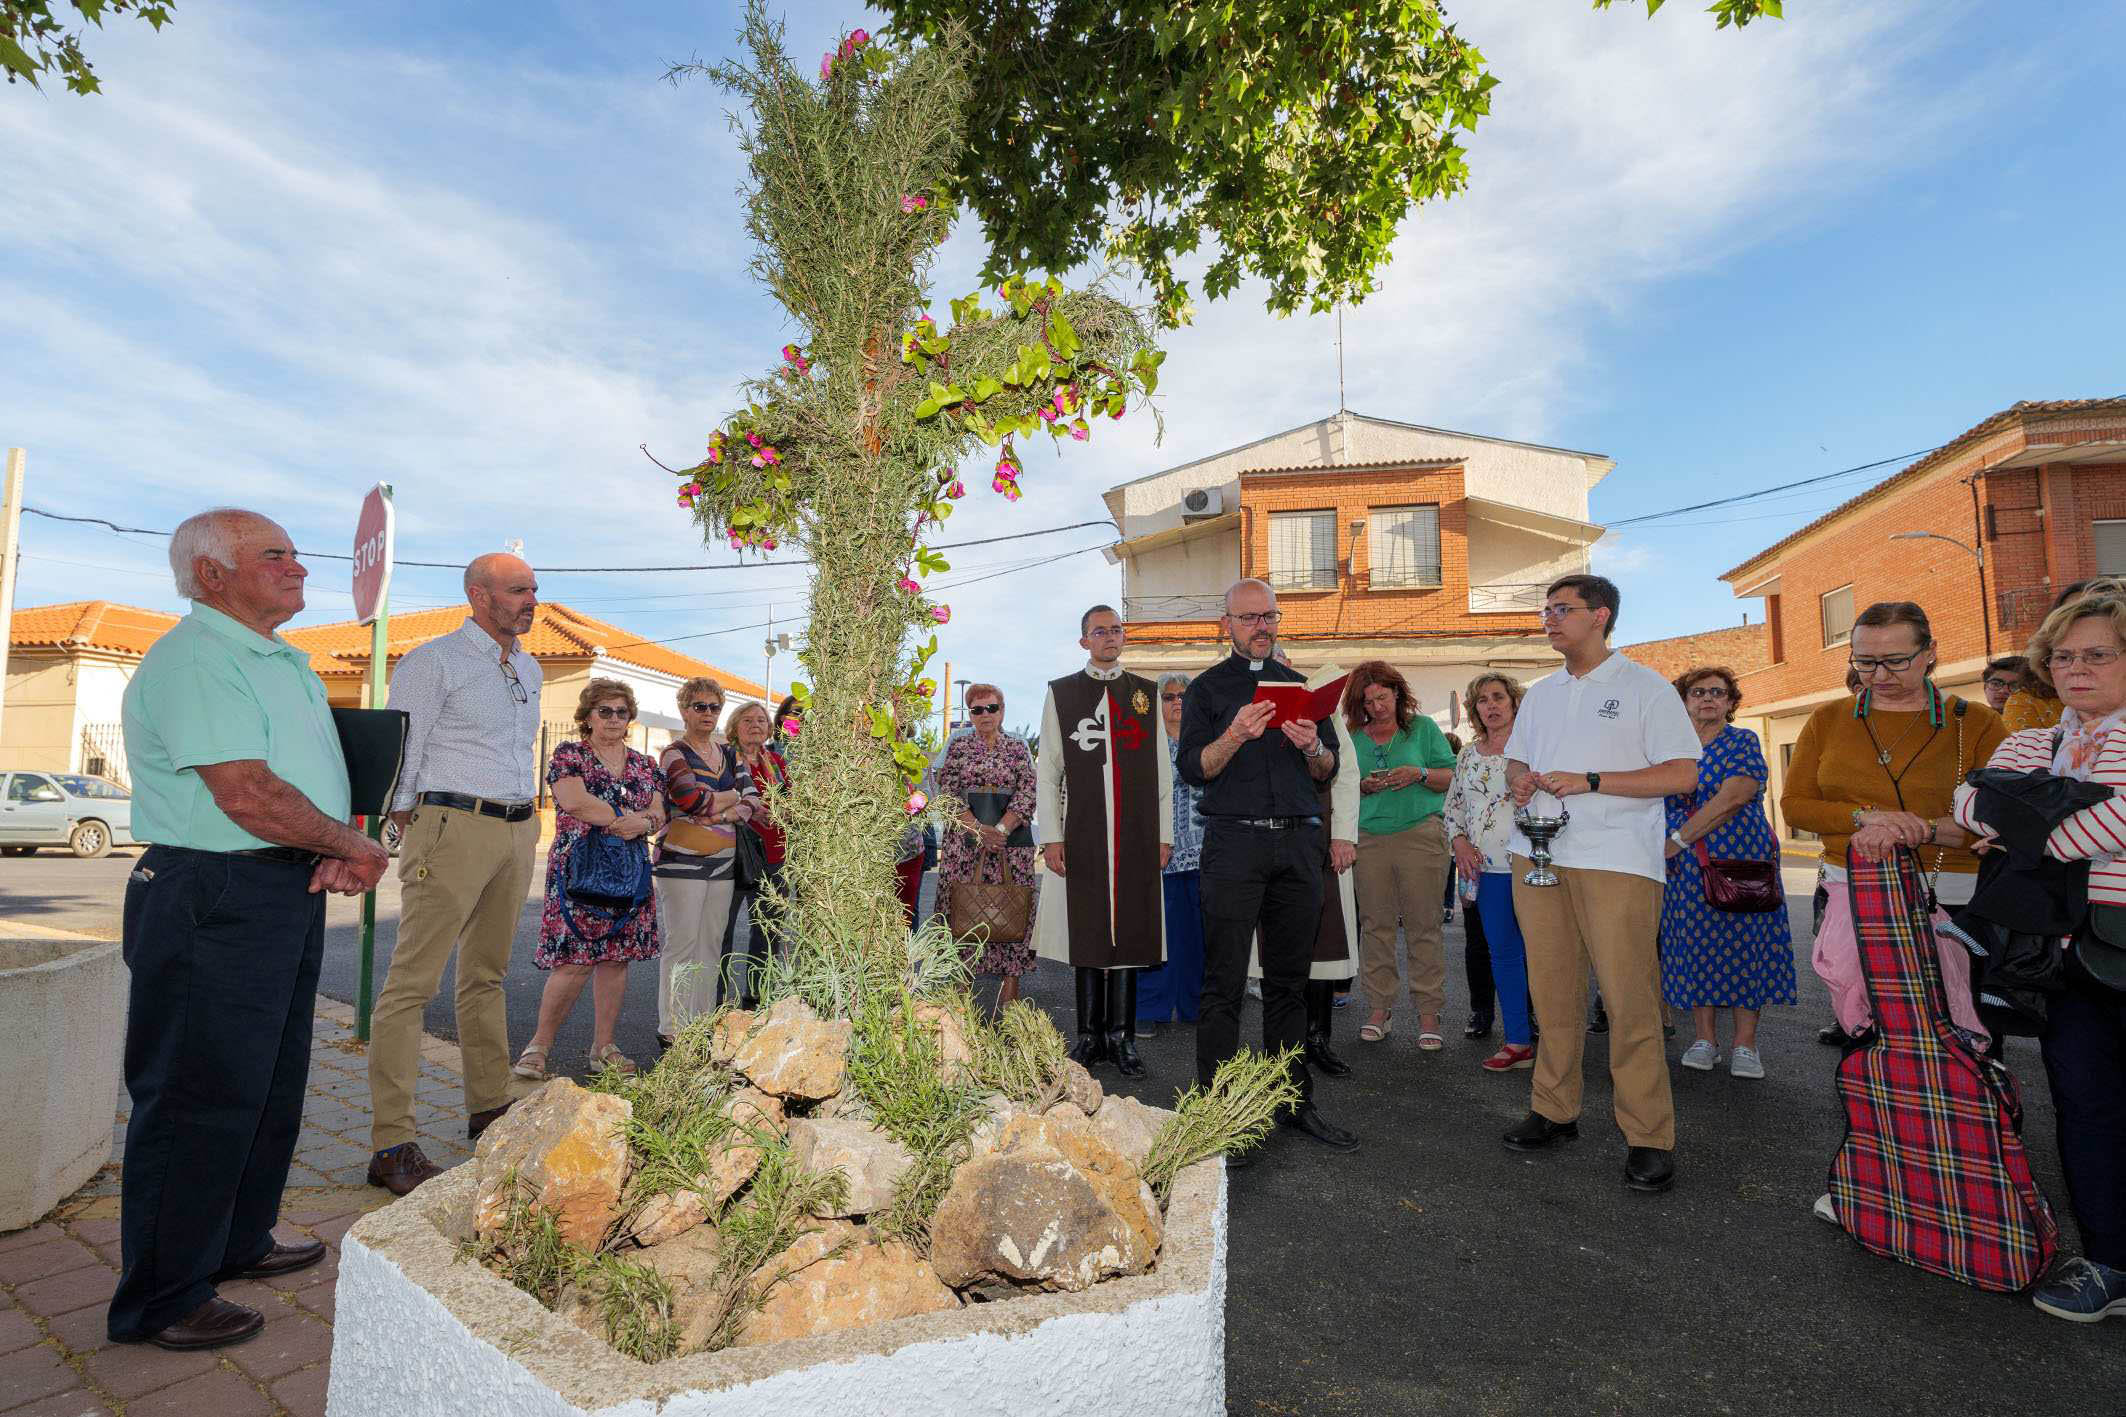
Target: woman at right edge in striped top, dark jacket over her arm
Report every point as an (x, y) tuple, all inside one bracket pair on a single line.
[(2080, 651)]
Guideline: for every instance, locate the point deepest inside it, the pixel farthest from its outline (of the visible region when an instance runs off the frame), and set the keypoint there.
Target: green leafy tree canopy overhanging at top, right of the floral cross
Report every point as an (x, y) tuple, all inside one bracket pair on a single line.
[(1285, 137)]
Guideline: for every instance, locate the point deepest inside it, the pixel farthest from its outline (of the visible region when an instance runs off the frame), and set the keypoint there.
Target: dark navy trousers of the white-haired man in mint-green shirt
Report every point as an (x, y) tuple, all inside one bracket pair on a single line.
[(224, 959)]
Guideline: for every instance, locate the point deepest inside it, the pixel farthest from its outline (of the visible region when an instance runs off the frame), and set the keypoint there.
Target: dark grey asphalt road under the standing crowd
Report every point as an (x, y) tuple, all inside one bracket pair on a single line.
[(1436, 1271)]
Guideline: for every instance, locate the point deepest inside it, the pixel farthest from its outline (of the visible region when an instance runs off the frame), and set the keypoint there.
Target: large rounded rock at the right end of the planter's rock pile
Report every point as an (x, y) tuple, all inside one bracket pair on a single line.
[(1049, 1208)]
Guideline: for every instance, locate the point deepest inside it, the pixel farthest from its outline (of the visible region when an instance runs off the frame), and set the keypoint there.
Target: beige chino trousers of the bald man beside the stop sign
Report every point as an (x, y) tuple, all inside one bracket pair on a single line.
[(462, 885)]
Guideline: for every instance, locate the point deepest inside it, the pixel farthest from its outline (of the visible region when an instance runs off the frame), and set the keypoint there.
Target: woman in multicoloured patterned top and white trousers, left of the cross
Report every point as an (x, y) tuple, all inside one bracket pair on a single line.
[(711, 800)]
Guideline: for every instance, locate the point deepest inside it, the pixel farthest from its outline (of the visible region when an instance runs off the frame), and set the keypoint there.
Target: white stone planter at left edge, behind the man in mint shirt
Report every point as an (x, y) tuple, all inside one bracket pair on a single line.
[(63, 1029)]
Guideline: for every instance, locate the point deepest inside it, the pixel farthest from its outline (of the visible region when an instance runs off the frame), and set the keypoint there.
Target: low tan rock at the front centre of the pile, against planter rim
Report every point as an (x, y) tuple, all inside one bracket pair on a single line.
[(811, 1291)]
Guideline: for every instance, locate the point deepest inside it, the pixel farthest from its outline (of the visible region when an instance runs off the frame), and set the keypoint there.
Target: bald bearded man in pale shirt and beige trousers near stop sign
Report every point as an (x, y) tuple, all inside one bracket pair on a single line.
[(469, 827)]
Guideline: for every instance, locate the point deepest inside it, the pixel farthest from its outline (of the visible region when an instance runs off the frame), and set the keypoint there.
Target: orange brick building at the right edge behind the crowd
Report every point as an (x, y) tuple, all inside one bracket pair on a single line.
[(2012, 511)]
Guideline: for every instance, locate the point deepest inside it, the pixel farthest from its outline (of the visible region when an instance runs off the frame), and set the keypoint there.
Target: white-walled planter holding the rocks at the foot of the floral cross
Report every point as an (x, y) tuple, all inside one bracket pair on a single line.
[(420, 1333)]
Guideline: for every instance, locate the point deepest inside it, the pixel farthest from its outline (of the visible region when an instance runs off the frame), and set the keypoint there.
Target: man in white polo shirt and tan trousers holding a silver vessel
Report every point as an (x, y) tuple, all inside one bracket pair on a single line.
[(1608, 738)]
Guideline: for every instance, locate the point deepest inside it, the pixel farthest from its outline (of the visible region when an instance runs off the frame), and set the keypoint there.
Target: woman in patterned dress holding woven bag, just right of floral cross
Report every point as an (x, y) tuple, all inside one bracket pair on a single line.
[(988, 781)]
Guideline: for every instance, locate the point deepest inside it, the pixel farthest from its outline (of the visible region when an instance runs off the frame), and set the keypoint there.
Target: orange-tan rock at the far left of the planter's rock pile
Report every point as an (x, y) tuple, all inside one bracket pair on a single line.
[(569, 1155)]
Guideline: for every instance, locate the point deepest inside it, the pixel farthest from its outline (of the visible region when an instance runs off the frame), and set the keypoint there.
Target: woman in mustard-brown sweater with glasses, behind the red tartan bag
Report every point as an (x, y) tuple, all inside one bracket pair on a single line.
[(1878, 772)]
